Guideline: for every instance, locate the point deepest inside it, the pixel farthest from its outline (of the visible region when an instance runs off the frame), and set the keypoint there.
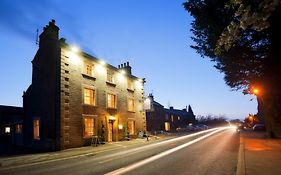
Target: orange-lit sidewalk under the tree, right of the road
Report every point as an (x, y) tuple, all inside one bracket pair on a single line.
[(258, 155)]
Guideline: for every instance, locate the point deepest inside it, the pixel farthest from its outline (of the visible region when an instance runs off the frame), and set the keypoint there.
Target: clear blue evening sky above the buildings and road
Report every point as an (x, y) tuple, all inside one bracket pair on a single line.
[(153, 35)]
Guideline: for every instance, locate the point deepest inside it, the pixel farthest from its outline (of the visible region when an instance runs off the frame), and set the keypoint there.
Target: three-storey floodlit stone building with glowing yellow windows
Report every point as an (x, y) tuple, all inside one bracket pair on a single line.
[(74, 96)]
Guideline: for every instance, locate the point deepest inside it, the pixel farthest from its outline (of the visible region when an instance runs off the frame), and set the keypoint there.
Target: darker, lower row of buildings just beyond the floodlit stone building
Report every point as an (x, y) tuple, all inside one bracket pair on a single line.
[(159, 118)]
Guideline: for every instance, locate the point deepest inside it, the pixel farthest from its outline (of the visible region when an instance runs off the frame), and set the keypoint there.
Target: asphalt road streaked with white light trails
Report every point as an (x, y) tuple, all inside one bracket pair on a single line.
[(211, 152)]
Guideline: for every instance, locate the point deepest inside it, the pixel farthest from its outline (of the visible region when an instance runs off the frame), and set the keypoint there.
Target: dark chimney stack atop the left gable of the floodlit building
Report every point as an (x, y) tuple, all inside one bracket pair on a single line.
[(50, 34)]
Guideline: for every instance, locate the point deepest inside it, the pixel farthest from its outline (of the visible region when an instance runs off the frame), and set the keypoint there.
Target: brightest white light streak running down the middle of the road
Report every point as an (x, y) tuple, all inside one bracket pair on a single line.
[(160, 155)]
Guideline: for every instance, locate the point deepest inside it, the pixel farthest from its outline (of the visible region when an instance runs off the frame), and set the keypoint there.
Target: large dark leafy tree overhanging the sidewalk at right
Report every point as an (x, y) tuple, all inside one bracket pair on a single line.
[(242, 38)]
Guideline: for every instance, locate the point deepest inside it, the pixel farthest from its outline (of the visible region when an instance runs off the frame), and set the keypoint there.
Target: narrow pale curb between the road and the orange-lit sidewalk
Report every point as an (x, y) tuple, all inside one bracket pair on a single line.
[(241, 166)]
